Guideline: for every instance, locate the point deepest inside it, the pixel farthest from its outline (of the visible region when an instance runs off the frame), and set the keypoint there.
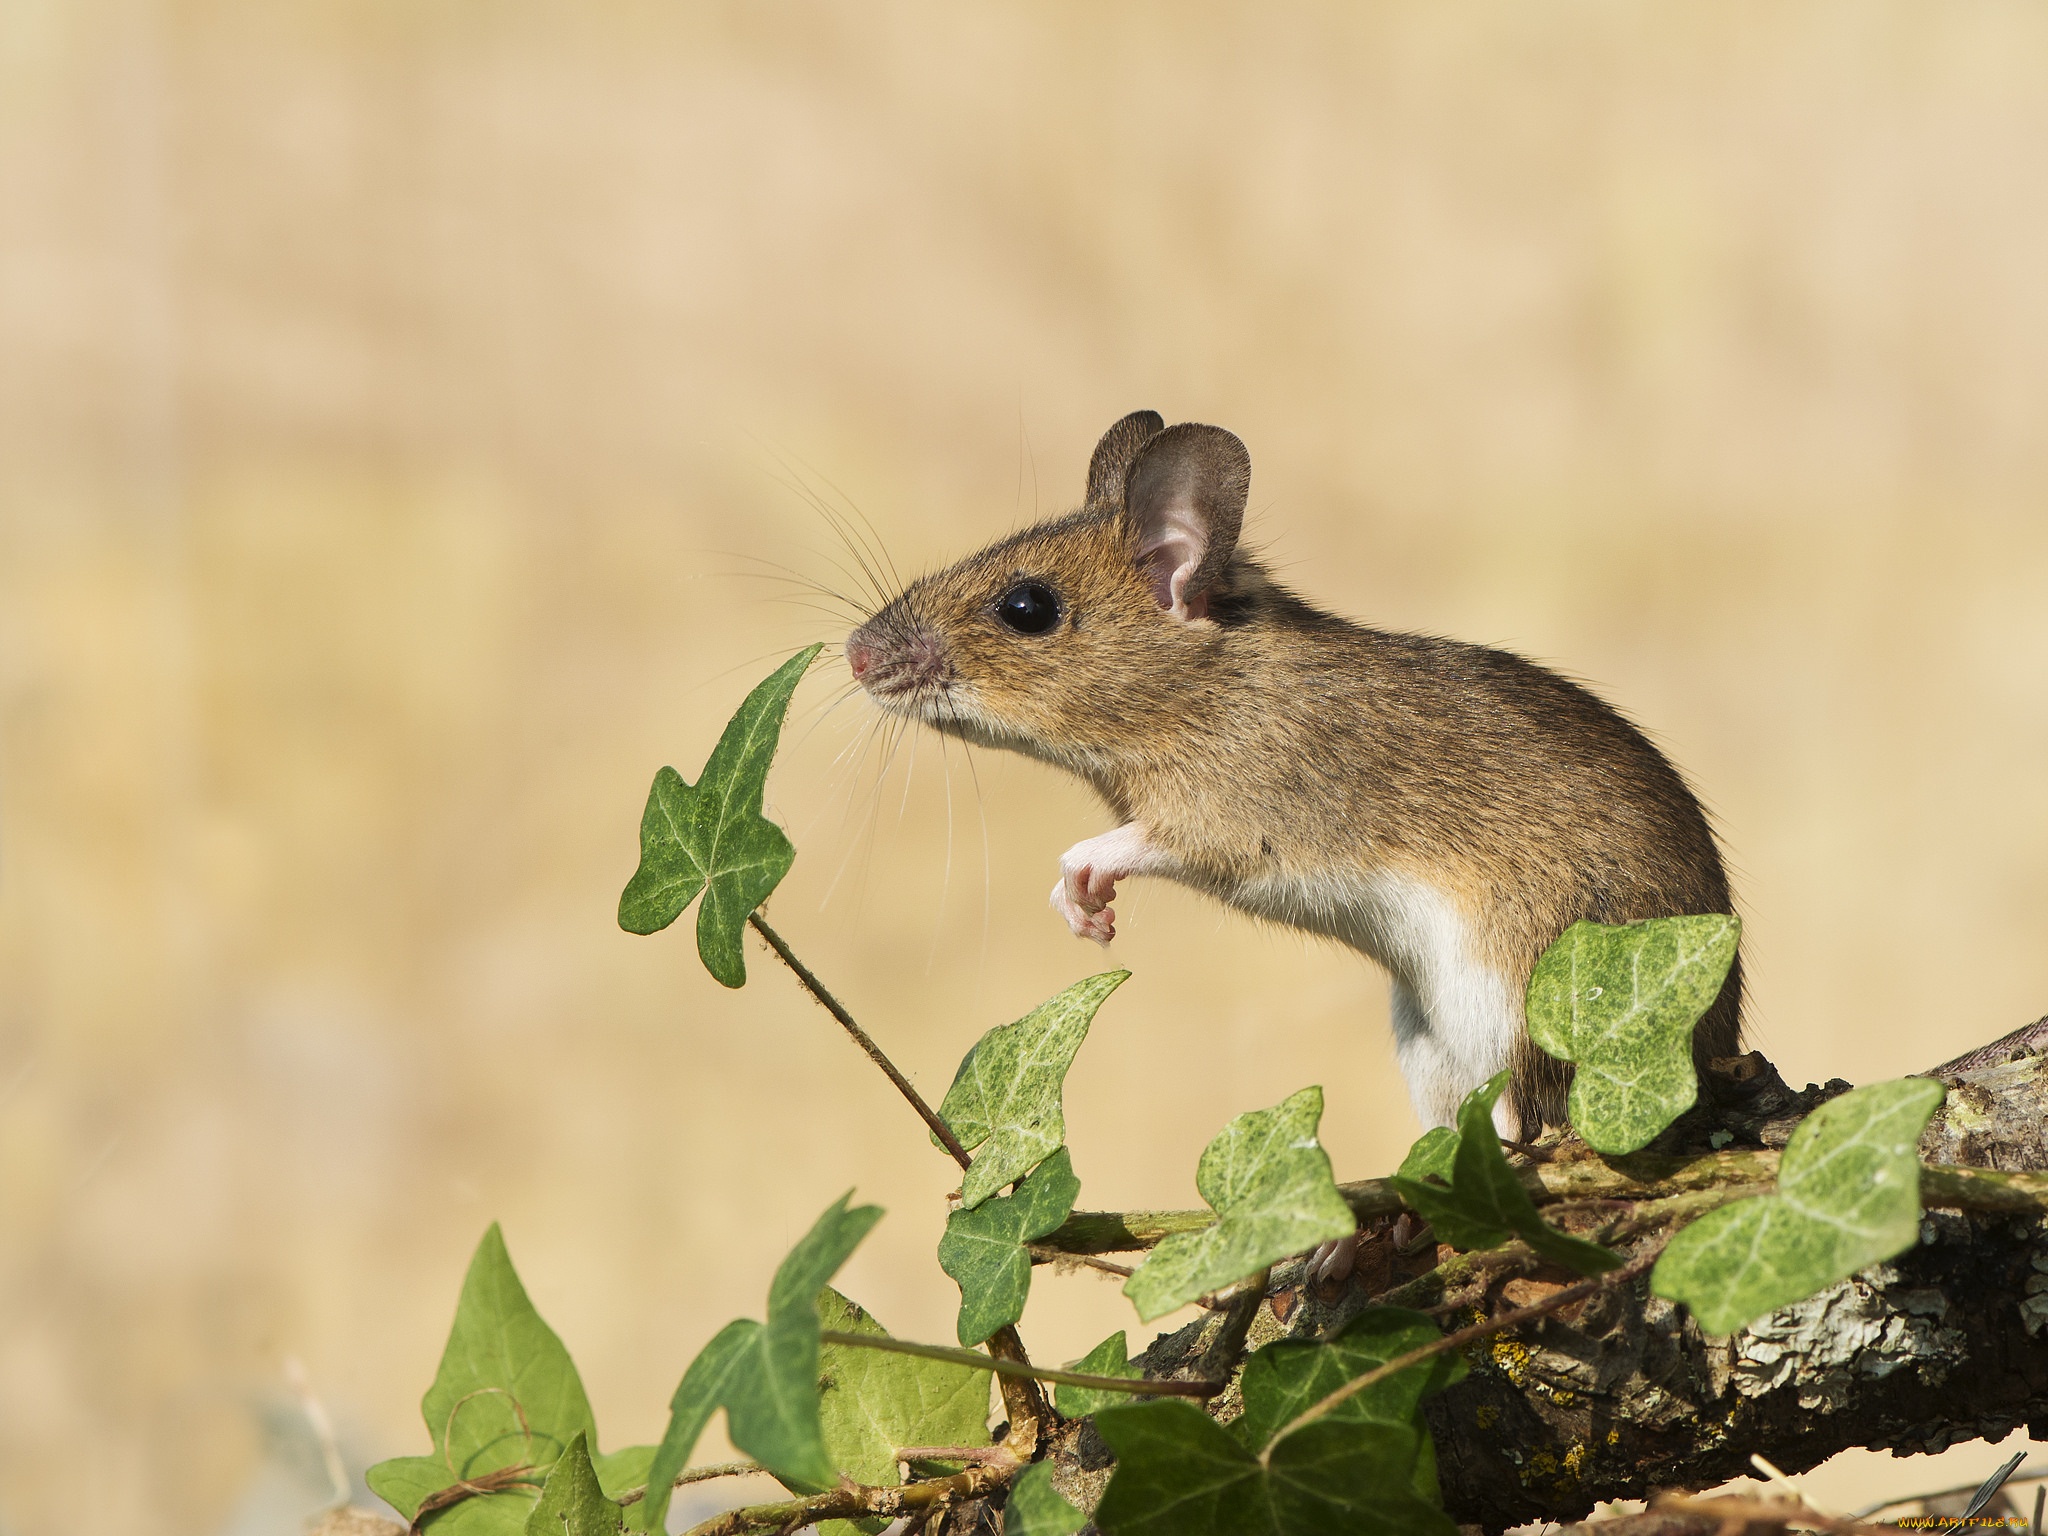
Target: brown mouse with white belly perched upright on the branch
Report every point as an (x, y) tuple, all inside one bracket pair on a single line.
[(1445, 810)]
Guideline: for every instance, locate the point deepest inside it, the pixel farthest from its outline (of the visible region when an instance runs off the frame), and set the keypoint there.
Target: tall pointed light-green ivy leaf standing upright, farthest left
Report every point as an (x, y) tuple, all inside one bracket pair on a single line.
[(507, 1398)]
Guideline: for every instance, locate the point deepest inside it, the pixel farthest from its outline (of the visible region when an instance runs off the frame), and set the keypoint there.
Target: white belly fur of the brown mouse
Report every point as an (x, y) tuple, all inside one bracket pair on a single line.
[(1455, 1017)]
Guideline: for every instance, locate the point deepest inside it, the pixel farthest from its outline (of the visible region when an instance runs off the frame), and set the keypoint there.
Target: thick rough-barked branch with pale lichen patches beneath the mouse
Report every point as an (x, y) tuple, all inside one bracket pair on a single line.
[(1938, 1347)]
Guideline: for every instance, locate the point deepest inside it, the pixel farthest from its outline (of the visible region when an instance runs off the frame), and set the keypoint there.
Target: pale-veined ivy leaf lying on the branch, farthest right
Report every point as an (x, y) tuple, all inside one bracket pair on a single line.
[(1848, 1197)]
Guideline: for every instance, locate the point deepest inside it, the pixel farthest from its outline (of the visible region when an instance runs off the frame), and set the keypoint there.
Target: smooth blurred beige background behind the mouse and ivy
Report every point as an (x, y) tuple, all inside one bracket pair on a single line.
[(400, 407)]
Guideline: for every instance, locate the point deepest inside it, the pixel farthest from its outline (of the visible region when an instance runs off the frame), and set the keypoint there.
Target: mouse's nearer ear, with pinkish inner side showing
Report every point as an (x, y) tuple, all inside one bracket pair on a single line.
[(1185, 501)]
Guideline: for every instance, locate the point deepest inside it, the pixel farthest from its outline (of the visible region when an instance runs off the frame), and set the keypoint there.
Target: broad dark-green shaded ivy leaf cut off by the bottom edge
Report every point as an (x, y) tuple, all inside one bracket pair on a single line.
[(1181, 1474)]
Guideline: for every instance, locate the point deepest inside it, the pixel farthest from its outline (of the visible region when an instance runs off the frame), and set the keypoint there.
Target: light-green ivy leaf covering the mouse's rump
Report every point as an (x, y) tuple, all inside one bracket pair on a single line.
[(1621, 1002)]
